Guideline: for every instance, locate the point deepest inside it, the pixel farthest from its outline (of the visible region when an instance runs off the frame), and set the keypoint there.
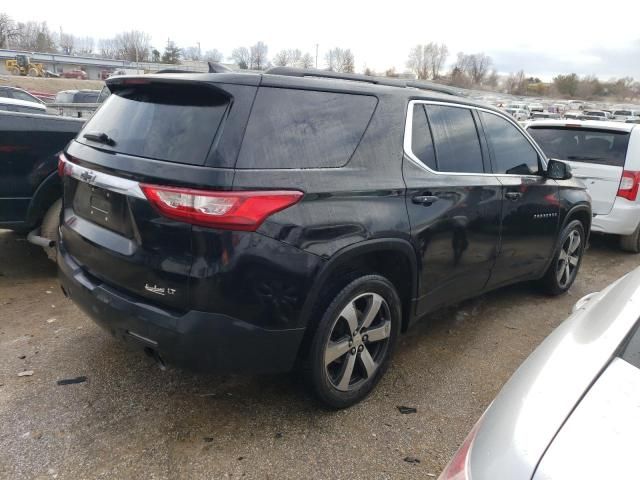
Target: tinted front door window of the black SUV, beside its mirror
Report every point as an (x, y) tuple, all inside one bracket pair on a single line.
[(512, 152)]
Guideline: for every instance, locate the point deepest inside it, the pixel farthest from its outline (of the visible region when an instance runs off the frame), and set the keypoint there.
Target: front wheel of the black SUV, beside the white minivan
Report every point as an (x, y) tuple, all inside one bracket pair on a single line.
[(566, 261)]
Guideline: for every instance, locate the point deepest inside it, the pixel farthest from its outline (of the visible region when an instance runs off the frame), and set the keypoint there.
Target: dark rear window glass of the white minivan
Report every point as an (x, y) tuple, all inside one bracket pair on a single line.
[(604, 147)]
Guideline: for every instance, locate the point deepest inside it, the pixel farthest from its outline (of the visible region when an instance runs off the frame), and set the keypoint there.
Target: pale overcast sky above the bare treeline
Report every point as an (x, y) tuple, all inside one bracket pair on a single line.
[(560, 36)]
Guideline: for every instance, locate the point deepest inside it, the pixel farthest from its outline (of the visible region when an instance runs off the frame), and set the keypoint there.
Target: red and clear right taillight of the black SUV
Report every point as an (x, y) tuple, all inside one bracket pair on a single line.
[(225, 210)]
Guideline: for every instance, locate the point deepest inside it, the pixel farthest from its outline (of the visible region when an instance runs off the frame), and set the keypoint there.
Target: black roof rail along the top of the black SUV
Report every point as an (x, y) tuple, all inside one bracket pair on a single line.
[(388, 81)]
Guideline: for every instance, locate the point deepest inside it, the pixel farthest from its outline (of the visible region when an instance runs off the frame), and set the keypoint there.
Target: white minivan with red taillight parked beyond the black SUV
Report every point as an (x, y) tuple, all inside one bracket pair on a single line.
[(605, 155)]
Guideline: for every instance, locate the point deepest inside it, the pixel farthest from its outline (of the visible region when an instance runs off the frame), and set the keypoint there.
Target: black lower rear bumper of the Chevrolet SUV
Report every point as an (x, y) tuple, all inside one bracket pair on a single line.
[(199, 341)]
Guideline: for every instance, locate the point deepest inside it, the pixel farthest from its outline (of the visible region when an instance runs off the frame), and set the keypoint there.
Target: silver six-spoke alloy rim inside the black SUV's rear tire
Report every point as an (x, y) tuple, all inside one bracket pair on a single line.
[(358, 342)]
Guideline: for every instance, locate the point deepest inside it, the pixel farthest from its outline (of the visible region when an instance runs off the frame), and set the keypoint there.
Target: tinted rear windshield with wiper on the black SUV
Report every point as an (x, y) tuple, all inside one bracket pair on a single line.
[(176, 123)]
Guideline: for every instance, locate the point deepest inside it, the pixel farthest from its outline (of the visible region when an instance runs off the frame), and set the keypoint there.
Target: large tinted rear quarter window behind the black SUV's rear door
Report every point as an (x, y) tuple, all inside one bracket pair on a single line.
[(304, 129)]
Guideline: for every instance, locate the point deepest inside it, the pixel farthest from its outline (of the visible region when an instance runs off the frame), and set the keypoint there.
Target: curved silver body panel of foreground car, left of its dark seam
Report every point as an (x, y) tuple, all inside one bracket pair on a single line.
[(522, 421)]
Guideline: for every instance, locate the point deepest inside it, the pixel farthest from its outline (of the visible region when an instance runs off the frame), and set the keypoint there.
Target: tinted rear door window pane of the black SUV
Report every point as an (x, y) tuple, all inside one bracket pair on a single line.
[(456, 139)]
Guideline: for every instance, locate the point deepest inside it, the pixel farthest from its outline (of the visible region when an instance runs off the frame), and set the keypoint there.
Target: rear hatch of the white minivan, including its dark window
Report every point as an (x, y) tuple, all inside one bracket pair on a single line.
[(596, 155)]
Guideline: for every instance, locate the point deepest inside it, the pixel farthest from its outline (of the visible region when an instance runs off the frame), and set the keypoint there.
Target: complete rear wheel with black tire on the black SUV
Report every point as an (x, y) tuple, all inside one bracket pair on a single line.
[(354, 340)]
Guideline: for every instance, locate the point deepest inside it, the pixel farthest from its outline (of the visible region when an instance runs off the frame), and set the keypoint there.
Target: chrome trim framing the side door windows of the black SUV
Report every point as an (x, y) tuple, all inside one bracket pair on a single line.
[(408, 131)]
